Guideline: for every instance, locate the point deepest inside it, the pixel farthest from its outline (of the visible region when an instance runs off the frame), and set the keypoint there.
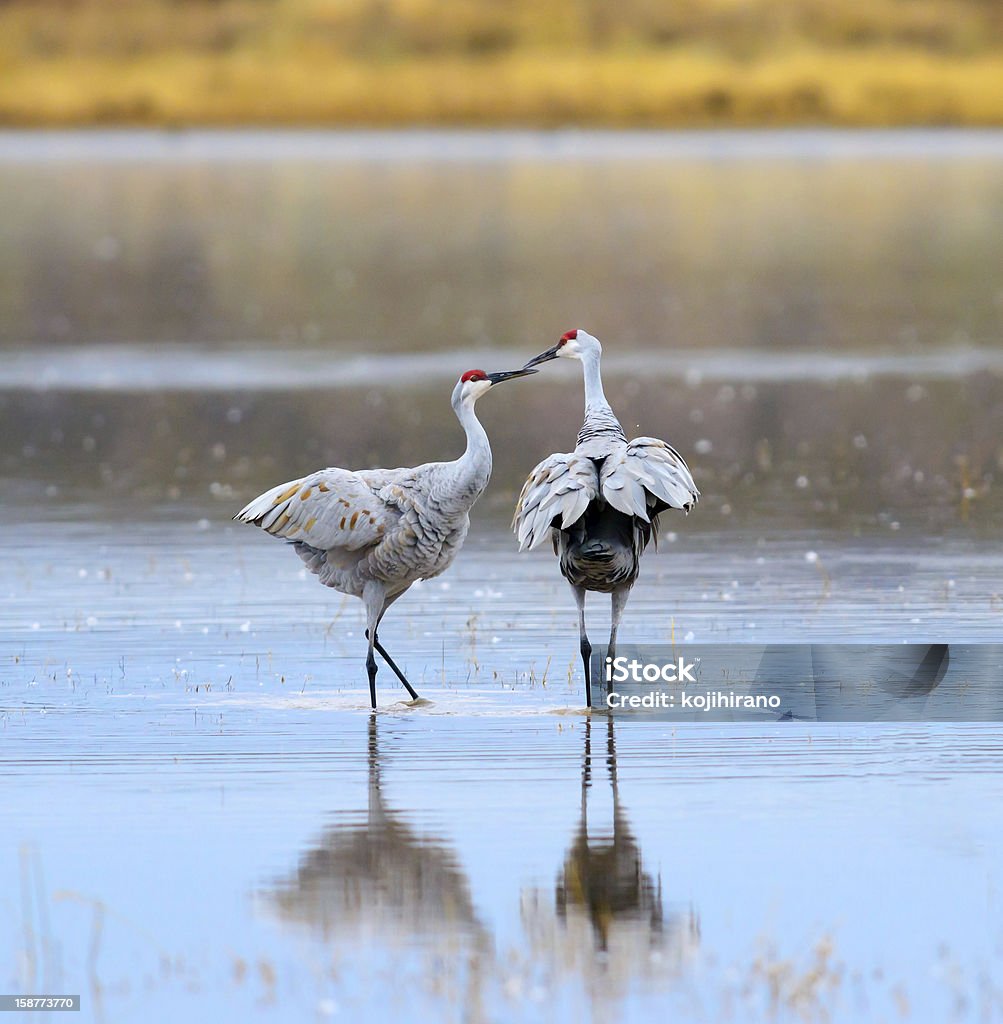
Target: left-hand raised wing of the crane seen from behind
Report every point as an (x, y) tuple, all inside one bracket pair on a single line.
[(557, 494)]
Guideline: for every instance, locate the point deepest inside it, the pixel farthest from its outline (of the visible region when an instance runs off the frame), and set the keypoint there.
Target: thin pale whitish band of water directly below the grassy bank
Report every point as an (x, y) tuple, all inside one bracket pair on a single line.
[(492, 146)]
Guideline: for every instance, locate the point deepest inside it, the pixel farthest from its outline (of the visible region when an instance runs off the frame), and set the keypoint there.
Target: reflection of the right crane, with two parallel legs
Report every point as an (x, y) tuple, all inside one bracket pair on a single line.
[(606, 919)]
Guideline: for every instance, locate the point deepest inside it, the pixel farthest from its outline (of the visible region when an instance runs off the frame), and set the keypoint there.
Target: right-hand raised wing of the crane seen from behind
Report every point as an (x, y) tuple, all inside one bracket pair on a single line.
[(646, 478)]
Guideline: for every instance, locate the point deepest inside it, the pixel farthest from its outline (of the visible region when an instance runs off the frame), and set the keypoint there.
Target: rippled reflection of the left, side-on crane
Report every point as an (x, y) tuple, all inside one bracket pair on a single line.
[(382, 879)]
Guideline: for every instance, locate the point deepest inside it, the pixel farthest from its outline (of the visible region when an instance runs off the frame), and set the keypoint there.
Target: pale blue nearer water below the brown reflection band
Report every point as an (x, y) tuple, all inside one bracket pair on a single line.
[(203, 823)]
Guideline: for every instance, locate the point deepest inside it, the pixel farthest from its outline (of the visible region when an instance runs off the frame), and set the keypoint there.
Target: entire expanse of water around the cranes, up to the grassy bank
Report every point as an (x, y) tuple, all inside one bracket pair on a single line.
[(203, 822)]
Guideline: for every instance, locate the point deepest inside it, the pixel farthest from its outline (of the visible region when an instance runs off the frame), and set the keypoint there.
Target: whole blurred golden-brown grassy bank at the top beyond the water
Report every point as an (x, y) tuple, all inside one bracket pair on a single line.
[(544, 63)]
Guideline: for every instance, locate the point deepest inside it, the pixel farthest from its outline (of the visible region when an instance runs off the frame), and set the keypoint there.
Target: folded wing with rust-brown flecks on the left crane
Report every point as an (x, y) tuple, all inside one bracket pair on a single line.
[(331, 509)]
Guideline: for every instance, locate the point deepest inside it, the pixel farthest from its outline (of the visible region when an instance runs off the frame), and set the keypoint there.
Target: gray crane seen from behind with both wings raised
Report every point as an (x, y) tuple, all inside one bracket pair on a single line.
[(601, 503)]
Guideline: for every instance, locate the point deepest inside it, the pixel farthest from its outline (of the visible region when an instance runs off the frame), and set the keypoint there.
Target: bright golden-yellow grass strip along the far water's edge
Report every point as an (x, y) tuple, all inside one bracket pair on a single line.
[(684, 89)]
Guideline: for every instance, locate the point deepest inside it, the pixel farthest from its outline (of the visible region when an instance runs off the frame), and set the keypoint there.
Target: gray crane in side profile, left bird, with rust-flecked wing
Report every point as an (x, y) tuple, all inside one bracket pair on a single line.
[(372, 533)]
